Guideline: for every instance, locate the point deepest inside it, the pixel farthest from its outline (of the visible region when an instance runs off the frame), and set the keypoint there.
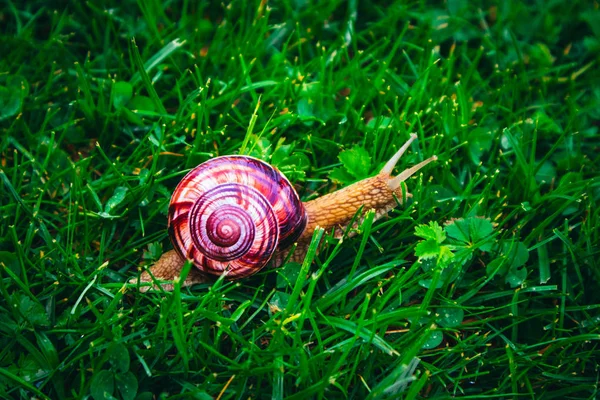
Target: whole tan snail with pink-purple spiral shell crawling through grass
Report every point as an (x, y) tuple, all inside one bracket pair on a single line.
[(234, 215)]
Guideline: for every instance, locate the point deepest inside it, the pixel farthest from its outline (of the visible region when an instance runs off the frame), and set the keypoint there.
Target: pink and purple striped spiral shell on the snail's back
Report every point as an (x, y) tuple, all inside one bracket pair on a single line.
[(231, 213)]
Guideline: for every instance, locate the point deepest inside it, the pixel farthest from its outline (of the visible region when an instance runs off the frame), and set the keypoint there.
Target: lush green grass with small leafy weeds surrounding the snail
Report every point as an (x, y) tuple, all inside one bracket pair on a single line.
[(103, 108)]
